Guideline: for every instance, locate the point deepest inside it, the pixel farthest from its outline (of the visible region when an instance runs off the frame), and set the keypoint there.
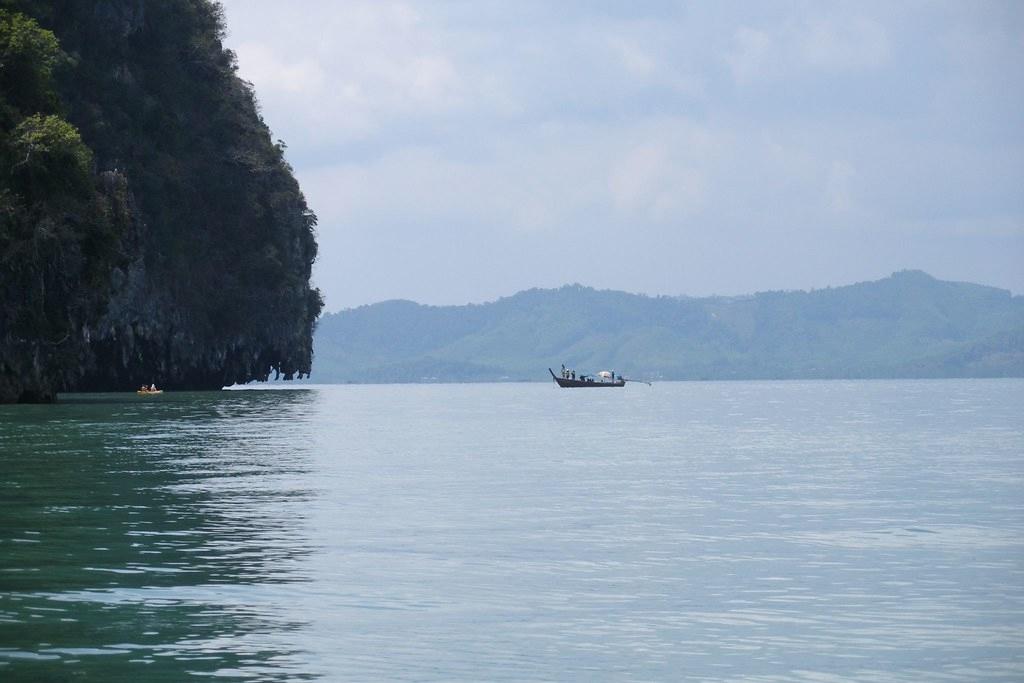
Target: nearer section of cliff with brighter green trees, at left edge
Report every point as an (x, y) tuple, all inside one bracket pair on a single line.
[(58, 233)]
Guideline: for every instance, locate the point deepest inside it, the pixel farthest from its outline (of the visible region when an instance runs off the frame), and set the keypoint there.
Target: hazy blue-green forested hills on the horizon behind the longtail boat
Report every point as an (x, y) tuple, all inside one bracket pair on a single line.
[(909, 325)]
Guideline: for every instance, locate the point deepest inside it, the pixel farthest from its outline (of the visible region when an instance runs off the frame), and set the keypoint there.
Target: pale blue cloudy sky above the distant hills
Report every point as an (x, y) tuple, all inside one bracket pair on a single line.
[(460, 152)]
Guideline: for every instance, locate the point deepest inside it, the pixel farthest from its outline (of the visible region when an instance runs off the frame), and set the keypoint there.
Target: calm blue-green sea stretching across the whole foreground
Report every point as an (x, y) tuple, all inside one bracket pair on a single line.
[(715, 532)]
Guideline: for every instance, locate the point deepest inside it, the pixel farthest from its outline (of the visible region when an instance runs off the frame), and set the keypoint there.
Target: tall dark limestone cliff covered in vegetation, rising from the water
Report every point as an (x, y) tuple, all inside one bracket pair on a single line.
[(150, 229)]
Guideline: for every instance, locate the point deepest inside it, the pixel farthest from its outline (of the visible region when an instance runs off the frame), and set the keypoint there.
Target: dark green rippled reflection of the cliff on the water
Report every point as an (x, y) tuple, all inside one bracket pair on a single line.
[(129, 527)]
